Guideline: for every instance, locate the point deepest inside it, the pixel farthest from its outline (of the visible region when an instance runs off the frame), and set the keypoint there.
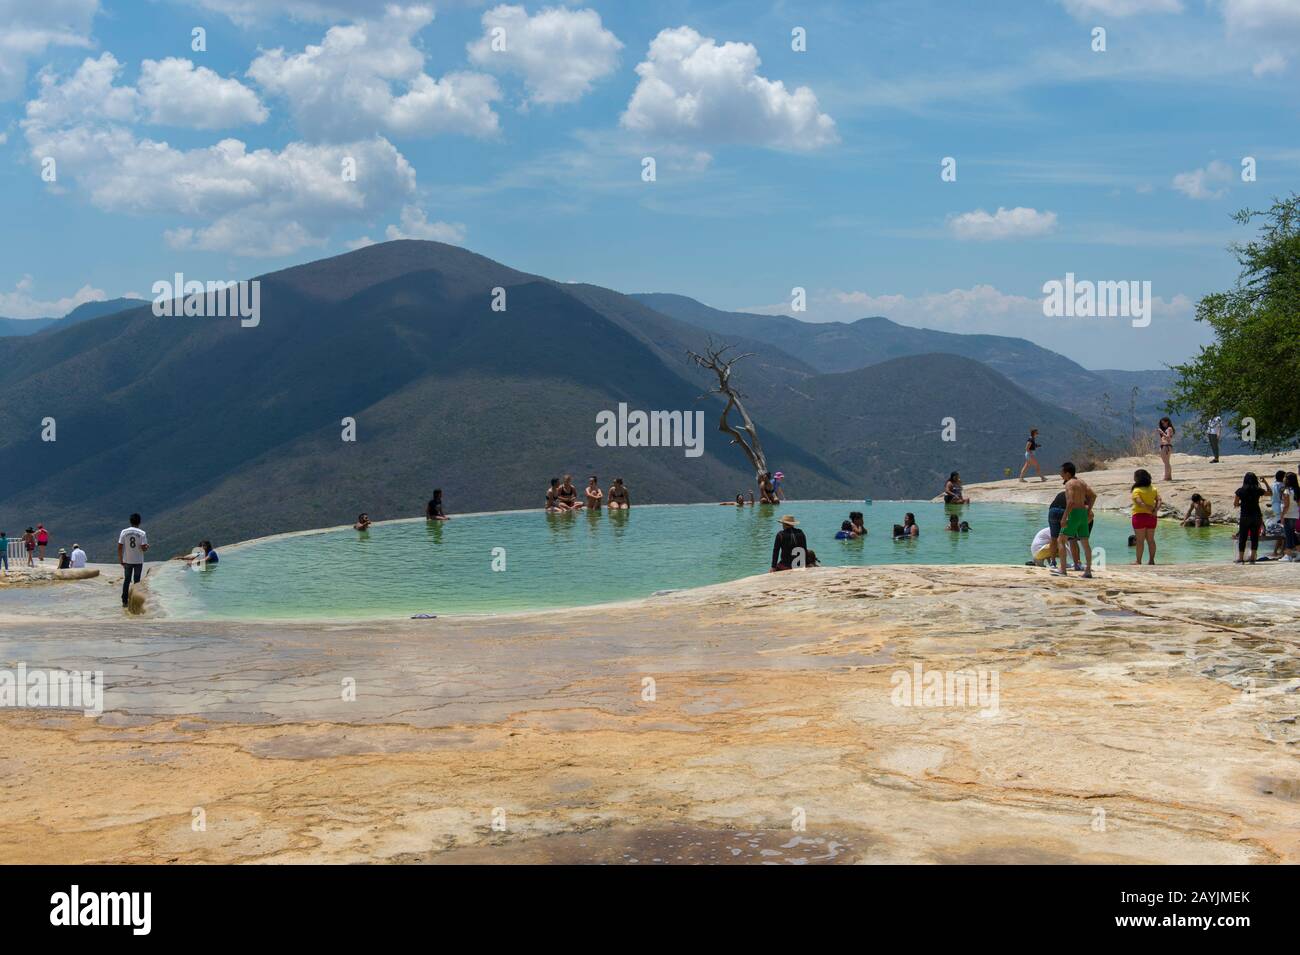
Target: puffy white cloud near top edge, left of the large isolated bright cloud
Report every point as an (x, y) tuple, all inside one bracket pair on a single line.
[(560, 53)]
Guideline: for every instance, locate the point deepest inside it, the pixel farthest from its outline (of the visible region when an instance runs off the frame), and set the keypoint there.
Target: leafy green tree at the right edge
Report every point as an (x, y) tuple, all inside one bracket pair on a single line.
[(1253, 370)]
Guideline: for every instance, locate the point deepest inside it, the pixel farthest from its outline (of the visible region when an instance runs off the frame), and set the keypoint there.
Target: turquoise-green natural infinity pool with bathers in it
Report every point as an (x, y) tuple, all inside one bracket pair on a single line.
[(575, 559)]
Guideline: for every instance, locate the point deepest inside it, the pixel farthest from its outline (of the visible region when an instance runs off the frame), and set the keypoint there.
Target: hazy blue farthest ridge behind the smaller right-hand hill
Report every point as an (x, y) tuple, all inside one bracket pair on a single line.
[(847, 346)]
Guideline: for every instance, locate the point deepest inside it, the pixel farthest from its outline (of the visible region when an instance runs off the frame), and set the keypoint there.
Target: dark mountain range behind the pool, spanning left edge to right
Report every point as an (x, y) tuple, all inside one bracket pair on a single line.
[(215, 431)]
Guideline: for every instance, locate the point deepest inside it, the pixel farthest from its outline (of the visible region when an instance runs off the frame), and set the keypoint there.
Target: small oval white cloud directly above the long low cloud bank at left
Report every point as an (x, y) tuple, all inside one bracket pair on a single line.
[(176, 93)]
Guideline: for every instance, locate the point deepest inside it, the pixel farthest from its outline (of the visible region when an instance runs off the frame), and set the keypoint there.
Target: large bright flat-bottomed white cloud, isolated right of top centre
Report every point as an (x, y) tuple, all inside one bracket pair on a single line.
[(694, 89)]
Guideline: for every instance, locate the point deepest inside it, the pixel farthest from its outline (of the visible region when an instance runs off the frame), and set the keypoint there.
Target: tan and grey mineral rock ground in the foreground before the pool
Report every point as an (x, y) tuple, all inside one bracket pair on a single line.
[(1145, 717)]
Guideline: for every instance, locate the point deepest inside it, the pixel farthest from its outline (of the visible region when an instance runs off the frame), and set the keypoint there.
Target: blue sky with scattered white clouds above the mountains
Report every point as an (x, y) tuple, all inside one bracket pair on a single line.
[(775, 168)]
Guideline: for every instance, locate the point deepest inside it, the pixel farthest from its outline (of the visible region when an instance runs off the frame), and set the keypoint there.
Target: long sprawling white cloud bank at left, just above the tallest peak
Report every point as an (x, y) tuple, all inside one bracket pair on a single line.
[(261, 202)]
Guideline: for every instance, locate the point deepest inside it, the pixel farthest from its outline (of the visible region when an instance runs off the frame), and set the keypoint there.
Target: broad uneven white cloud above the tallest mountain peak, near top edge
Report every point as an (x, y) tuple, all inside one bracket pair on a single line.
[(344, 89)]
